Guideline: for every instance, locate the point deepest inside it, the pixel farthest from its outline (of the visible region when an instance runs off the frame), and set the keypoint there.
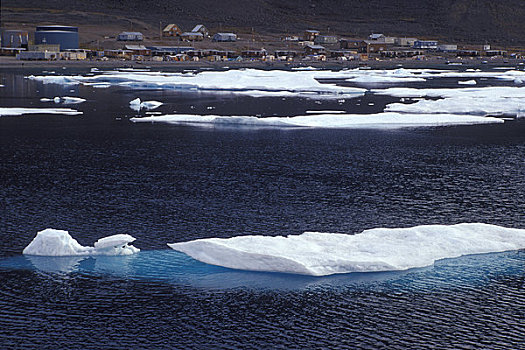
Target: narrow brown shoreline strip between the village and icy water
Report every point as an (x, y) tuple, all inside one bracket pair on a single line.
[(9, 63)]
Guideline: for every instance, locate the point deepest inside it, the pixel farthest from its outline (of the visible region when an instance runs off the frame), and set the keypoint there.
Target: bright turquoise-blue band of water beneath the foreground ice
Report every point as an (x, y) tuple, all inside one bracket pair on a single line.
[(176, 268)]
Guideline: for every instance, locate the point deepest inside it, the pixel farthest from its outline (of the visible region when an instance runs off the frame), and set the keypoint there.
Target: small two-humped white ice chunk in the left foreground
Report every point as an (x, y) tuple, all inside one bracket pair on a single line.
[(50, 242)]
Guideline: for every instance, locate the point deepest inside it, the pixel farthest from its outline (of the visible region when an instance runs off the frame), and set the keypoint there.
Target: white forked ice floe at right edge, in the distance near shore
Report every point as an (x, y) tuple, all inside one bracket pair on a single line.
[(494, 100)]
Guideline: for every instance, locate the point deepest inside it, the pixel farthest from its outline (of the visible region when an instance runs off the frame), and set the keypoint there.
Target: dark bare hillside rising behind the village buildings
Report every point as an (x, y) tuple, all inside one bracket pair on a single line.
[(457, 21)]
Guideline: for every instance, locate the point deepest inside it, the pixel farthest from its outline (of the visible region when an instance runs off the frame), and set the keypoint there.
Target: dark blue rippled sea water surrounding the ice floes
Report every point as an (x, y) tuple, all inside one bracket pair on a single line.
[(98, 174)]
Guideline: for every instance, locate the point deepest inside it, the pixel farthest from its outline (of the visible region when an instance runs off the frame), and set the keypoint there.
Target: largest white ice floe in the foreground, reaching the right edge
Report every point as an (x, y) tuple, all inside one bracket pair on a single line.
[(381, 249)]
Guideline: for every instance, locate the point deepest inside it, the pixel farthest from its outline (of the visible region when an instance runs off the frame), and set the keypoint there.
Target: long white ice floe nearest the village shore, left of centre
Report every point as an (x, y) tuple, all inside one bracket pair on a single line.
[(252, 82)]
